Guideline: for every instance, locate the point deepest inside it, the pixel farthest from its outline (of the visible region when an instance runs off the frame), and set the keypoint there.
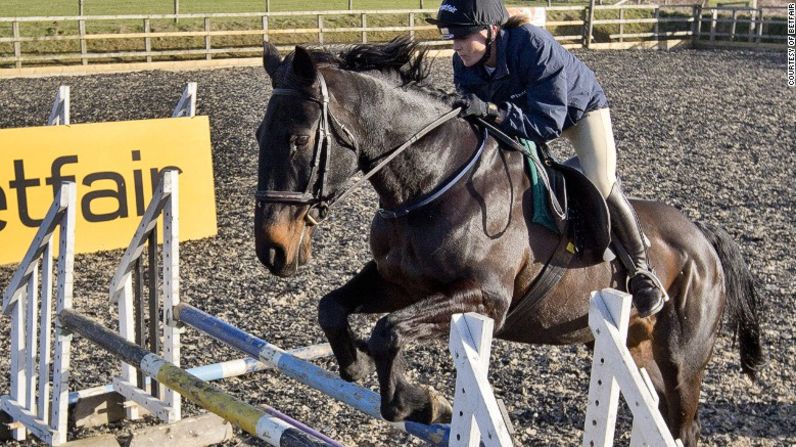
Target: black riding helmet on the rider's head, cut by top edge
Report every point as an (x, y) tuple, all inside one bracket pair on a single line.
[(458, 18)]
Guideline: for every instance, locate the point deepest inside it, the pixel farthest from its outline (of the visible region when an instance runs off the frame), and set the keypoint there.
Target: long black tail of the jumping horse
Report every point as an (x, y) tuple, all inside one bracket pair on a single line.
[(743, 301)]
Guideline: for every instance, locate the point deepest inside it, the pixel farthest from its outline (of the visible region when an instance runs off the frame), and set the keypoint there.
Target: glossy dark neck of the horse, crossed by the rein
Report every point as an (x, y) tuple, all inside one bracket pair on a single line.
[(390, 117)]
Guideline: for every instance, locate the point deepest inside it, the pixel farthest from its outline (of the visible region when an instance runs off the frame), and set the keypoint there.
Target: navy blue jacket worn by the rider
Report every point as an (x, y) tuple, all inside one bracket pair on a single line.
[(543, 88)]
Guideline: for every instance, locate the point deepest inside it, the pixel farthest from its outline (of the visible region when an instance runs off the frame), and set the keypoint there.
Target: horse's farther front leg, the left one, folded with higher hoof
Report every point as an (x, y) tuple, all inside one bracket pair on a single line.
[(364, 293)]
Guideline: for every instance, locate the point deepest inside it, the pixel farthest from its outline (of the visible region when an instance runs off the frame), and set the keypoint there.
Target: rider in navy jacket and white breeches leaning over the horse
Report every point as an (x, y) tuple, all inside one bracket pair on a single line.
[(517, 76)]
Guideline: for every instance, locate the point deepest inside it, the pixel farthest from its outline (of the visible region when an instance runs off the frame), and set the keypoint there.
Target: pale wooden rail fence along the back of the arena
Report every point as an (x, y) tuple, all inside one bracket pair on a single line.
[(210, 40)]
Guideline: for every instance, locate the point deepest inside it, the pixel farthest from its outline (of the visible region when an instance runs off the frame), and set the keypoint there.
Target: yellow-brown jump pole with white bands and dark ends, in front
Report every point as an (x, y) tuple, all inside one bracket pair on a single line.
[(255, 421)]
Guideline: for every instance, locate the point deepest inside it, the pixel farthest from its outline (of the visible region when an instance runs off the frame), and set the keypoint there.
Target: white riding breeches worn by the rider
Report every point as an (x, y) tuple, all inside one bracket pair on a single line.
[(593, 138)]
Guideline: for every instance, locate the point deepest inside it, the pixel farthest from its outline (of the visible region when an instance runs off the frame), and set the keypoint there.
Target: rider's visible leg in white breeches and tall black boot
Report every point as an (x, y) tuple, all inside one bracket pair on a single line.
[(593, 139)]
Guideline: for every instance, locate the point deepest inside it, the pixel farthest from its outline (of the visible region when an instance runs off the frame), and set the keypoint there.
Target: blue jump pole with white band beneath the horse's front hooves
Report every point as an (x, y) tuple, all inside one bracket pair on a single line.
[(303, 371)]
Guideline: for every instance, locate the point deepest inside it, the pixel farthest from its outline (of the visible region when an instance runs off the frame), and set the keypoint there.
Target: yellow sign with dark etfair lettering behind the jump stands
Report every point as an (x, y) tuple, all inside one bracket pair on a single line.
[(116, 167)]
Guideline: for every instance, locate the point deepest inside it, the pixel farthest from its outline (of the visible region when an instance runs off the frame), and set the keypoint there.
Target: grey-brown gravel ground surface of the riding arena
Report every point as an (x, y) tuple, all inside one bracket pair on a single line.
[(709, 132)]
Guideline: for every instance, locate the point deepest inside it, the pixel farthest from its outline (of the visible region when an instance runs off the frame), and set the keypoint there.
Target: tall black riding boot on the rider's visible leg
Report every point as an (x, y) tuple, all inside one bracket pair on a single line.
[(647, 291)]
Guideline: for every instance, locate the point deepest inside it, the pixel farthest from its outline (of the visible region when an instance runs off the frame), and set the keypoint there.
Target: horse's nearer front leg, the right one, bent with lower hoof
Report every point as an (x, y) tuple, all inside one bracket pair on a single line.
[(428, 318)]
